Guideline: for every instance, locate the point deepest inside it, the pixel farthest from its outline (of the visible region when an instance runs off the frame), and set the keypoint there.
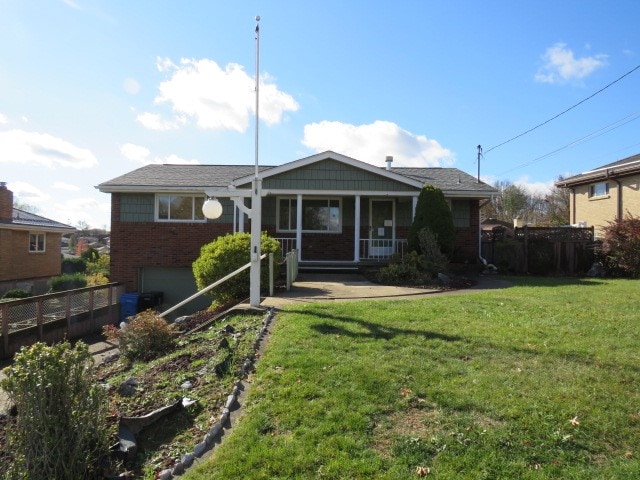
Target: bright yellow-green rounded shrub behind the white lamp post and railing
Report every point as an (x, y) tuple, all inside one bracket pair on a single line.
[(226, 254)]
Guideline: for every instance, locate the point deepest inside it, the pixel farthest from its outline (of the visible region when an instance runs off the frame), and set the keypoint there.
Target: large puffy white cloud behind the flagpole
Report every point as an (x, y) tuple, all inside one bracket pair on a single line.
[(215, 98)]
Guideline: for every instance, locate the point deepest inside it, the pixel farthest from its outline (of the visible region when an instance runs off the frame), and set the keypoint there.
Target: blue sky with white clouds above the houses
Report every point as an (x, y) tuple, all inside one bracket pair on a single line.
[(90, 90)]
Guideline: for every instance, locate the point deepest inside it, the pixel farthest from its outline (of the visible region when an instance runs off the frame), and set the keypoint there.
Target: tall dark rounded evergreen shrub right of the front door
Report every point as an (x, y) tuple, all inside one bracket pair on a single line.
[(433, 212)]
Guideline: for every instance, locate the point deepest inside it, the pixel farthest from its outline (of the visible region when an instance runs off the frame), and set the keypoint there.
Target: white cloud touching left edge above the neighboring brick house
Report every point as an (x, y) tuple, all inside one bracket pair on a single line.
[(42, 149)]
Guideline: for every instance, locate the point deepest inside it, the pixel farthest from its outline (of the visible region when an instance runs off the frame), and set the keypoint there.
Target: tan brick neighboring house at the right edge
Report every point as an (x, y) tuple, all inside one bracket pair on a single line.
[(604, 194)]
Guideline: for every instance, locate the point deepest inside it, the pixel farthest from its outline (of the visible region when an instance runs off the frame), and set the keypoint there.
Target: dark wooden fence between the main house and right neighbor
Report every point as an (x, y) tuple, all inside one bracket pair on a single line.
[(540, 250)]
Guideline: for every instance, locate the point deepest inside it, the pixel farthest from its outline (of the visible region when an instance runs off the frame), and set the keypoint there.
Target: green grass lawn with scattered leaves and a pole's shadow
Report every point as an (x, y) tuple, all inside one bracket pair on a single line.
[(538, 381)]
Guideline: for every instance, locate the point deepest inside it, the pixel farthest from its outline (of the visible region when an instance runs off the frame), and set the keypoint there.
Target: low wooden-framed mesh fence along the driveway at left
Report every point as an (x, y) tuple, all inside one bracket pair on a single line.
[(57, 316)]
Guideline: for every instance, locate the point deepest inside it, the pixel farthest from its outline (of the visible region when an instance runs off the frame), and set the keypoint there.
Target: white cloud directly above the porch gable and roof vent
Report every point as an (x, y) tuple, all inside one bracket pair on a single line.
[(373, 142)]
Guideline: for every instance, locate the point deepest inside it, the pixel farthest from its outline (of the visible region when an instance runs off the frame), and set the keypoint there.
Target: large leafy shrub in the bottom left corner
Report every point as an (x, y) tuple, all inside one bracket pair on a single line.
[(61, 428)]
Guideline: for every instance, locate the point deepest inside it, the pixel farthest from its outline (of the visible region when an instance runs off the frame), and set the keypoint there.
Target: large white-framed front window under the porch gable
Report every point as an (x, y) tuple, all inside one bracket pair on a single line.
[(318, 215)]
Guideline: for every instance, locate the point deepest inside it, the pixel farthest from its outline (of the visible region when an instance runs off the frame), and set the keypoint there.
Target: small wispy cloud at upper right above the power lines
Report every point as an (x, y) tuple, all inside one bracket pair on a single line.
[(561, 65)]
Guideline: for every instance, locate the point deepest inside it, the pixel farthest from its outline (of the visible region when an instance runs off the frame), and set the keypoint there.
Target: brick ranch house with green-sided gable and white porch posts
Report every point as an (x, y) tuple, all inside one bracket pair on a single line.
[(334, 209)]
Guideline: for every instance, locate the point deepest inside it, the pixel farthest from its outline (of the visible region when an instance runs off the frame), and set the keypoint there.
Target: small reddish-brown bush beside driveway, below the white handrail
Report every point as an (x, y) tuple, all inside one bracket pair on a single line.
[(144, 337)]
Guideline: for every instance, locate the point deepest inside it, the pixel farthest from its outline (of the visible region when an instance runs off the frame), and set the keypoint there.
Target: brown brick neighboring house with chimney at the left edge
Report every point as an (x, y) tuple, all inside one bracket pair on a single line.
[(30, 251)]
